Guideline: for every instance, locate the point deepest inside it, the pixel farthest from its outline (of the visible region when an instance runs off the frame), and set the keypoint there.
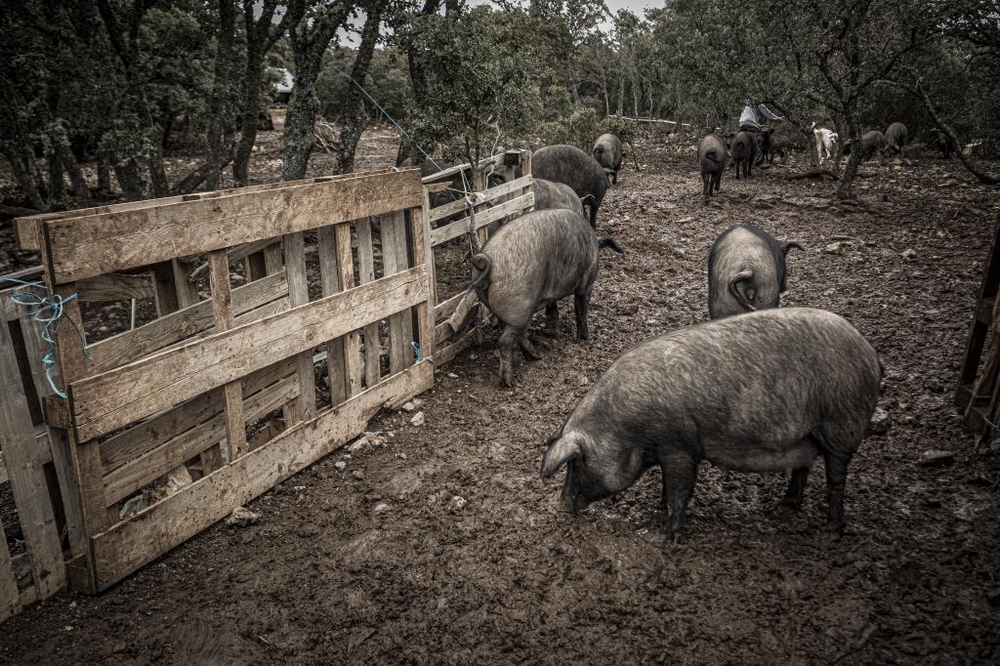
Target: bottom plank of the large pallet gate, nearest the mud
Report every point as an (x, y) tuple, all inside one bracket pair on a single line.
[(132, 543)]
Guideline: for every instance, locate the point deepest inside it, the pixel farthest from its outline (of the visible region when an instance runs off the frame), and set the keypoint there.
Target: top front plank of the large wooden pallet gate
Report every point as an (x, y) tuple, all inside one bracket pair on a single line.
[(86, 246)]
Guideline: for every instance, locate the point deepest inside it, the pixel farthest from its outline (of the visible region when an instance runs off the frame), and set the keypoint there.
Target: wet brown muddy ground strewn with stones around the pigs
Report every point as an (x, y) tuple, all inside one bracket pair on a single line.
[(443, 546)]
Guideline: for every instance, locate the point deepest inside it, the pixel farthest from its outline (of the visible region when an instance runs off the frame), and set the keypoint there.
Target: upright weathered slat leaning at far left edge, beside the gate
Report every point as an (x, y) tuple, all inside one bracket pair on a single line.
[(24, 459)]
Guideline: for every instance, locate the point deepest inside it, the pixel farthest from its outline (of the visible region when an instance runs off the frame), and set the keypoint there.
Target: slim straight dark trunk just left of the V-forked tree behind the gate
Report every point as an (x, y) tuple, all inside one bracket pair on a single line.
[(220, 115)]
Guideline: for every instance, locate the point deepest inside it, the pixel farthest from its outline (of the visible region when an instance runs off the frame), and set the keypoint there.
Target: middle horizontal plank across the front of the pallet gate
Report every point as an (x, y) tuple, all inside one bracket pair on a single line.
[(121, 396)]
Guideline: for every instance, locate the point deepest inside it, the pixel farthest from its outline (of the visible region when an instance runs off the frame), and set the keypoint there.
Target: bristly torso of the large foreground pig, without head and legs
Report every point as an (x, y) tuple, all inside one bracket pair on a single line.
[(763, 380)]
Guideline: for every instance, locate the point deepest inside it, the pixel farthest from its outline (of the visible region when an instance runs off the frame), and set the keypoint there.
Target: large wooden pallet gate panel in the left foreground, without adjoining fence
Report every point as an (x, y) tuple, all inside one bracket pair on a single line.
[(218, 392)]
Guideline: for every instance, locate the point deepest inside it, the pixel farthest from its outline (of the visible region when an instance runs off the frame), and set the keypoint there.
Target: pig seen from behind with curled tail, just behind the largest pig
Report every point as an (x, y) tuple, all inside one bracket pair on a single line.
[(746, 271)]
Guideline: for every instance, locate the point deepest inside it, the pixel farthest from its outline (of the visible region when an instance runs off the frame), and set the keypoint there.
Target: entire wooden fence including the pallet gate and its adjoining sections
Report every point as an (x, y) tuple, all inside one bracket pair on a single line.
[(220, 392)]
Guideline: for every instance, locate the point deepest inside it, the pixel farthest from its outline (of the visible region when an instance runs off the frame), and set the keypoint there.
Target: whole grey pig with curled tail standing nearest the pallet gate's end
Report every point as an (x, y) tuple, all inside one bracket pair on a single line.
[(531, 262)]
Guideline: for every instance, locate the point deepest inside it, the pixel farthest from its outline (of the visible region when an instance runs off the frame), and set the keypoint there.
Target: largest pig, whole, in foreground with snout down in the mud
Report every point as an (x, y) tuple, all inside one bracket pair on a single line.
[(765, 391)]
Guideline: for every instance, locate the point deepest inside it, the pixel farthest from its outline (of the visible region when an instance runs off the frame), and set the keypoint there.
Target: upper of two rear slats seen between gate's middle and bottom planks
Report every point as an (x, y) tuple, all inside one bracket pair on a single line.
[(171, 424)]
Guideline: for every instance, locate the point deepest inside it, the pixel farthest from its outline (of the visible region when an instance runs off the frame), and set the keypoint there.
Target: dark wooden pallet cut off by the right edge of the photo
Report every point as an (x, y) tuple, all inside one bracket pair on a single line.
[(977, 395)]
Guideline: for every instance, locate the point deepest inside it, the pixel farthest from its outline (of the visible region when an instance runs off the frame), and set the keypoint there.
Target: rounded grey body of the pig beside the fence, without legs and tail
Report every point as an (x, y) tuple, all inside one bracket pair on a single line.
[(538, 258)]
